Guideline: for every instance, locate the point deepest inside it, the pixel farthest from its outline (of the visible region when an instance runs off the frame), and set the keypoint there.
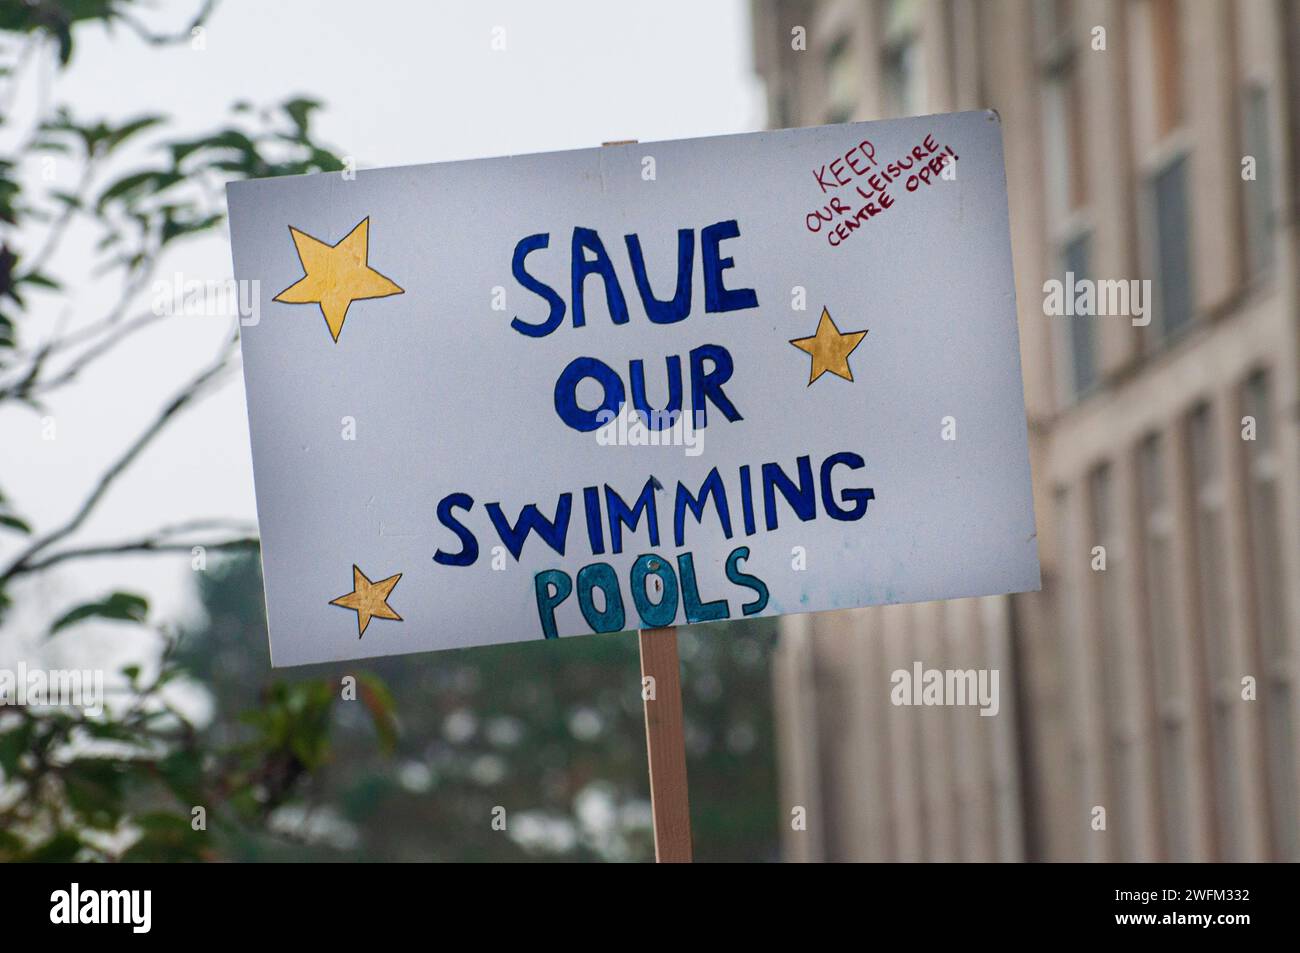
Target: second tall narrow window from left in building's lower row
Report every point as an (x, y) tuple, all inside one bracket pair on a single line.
[(1172, 704)]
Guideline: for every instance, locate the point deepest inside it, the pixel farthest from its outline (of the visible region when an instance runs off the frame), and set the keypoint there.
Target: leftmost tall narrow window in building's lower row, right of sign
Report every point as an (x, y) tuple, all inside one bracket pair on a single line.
[(1121, 773)]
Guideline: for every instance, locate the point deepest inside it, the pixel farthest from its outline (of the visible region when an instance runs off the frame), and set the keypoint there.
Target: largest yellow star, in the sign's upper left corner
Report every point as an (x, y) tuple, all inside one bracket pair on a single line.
[(336, 275)]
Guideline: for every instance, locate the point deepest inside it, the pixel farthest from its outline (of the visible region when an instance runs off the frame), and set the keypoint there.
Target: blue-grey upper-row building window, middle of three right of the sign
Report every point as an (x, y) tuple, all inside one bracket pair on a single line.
[(1173, 249)]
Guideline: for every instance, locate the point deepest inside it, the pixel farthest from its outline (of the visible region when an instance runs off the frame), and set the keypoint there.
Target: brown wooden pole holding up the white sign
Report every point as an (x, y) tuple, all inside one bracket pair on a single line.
[(666, 742)]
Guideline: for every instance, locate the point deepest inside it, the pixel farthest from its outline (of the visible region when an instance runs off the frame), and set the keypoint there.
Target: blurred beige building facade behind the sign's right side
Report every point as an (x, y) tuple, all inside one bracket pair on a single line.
[(1154, 140)]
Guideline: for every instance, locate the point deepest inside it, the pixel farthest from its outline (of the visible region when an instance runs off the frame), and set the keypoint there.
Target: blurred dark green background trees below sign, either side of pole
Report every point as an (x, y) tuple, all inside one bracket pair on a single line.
[(553, 733)]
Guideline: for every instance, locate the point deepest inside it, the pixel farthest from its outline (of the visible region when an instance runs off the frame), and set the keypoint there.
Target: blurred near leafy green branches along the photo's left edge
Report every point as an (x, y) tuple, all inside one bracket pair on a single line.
[(136, 781)]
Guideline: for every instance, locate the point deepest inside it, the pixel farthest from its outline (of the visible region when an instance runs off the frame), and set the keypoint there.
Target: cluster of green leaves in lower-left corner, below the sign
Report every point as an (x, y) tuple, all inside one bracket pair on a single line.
[(125, 785)]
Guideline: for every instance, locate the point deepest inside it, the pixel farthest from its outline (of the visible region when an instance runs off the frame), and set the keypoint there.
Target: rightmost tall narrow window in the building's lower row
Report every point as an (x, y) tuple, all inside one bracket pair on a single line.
[(1276, 686)]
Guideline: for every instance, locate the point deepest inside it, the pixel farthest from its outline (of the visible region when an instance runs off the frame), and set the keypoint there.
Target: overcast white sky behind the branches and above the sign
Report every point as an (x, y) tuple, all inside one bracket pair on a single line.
[(404, 84)]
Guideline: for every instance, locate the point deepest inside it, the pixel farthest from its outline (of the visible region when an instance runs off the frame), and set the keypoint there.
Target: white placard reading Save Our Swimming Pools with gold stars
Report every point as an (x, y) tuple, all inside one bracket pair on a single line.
[(634, 387)]
